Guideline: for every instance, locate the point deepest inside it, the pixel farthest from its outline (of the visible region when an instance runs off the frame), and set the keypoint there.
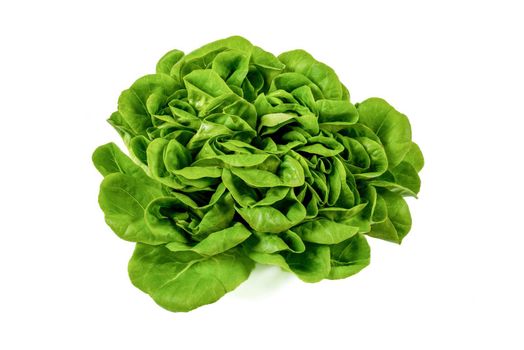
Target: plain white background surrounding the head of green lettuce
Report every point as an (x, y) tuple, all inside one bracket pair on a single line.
[(455, 68)]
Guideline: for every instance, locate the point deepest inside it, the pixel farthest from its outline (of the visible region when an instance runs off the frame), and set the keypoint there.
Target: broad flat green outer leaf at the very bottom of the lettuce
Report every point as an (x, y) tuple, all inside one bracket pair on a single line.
[(183, 286)]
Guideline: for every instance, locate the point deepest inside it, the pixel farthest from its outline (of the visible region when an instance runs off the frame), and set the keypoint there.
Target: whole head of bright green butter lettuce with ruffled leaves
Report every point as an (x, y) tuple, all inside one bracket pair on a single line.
[(238, 157)]
